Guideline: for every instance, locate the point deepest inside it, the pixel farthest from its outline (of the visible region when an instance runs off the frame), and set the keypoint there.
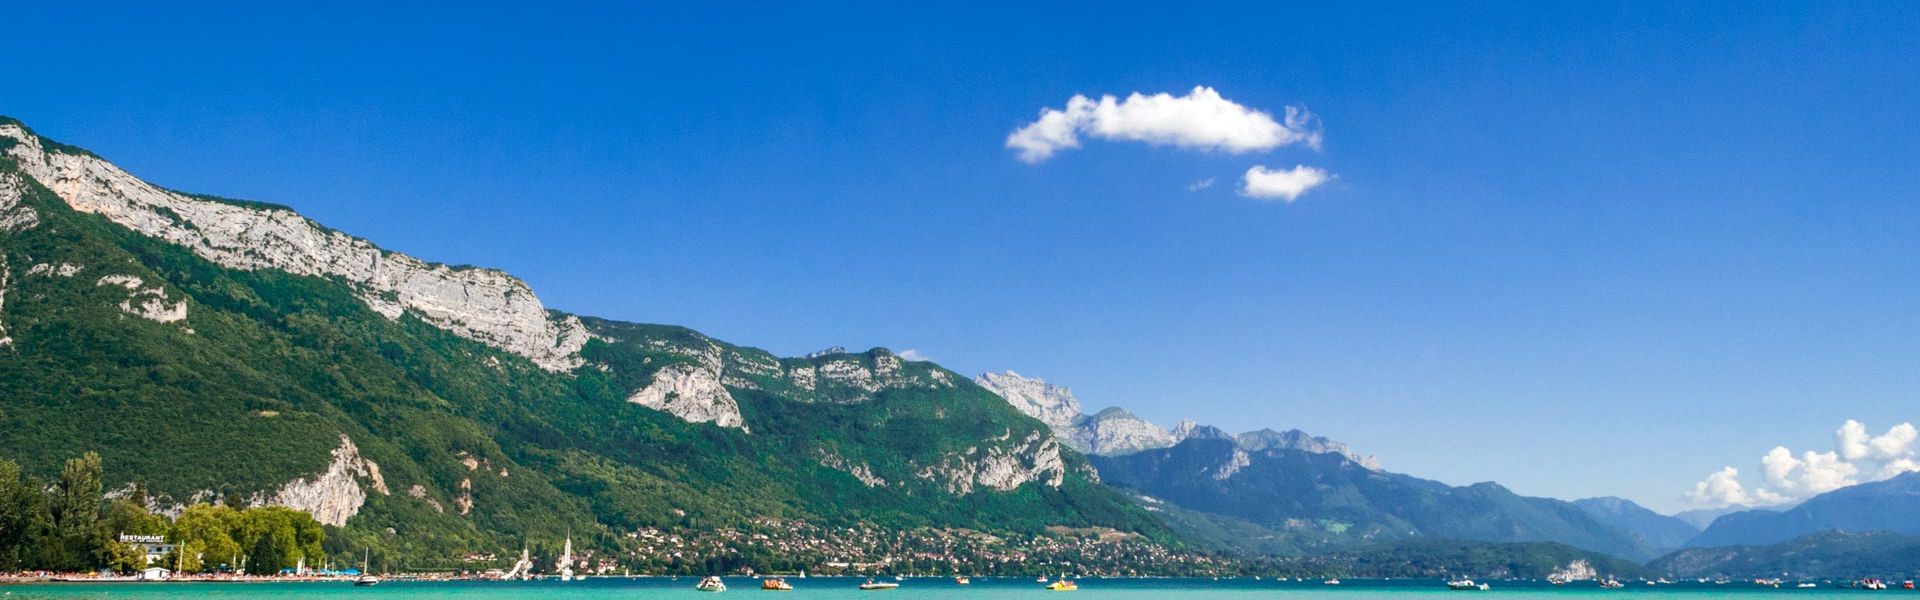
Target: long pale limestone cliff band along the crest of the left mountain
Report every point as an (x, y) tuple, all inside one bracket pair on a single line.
[(481, 305)]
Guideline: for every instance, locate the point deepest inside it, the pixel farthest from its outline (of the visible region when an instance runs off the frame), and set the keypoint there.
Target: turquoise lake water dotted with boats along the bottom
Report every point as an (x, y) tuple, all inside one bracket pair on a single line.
[(917, 589)]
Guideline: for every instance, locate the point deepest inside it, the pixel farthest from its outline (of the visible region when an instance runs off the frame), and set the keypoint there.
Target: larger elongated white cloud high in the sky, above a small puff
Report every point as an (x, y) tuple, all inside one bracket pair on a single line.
[(1203, 120)]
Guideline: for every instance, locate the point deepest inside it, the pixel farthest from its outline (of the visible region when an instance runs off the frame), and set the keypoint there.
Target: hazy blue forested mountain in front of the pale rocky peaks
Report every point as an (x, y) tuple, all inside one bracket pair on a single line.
[(1314, 503)]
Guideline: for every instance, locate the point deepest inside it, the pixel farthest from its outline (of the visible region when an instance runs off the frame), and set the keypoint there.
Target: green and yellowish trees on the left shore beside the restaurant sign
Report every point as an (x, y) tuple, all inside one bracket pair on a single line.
[(68, 524)]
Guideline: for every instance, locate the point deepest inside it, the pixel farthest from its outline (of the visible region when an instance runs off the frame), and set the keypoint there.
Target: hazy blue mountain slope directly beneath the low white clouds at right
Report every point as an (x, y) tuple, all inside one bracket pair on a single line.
[(1890, 505)]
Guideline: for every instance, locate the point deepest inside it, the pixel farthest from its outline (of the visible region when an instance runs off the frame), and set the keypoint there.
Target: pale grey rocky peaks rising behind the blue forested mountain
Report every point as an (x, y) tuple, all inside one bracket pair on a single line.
[(1116, 432)]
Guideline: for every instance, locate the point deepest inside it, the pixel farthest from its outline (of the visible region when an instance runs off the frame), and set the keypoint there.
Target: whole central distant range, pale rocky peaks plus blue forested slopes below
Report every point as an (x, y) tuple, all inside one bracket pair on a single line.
[(1287, 491)]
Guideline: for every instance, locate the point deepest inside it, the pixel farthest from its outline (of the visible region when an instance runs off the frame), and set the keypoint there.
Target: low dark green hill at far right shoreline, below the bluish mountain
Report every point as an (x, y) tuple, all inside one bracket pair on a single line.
[(1829, 555)]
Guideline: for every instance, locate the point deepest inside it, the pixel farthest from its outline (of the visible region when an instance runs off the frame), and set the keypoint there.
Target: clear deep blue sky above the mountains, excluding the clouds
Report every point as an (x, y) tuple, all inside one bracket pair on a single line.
[(1579, 251)]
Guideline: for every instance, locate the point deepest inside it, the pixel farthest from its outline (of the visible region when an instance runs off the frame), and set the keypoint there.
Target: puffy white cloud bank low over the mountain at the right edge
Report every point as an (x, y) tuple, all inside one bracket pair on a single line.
[(1858, 457)]
